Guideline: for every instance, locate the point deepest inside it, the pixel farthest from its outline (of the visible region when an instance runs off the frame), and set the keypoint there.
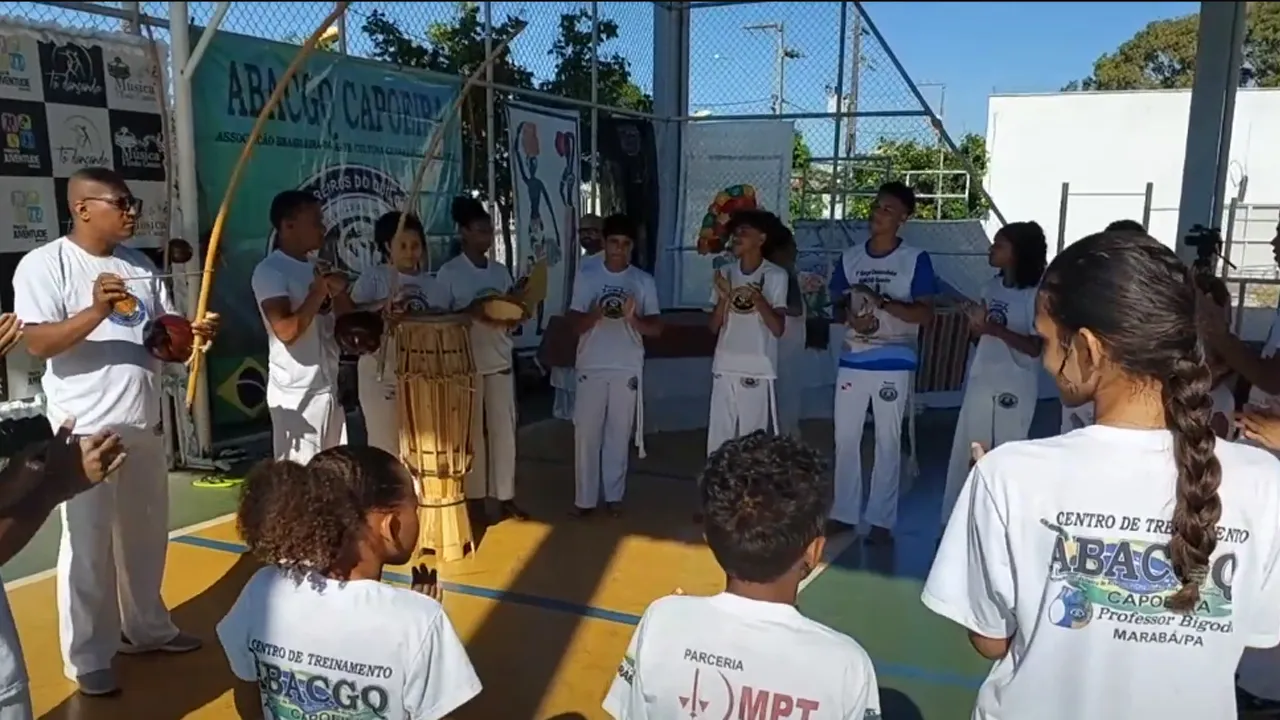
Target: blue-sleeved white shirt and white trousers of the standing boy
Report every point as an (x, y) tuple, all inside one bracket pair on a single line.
[(876, 368)]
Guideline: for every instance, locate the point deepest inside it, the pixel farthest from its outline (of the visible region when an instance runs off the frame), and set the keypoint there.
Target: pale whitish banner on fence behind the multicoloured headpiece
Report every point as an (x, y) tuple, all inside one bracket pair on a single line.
[(728, 166)]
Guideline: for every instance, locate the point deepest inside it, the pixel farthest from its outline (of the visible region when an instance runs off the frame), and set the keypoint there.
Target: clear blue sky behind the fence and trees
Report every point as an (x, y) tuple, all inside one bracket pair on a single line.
[(973, 49)]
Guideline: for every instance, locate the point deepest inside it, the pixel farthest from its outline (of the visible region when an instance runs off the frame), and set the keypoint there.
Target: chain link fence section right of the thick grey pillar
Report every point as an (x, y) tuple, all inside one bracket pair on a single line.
[(860, 119)]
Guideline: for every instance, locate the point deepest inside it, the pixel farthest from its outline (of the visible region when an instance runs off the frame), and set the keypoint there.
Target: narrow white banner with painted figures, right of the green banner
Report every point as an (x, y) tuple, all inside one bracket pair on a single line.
[(545, 175)]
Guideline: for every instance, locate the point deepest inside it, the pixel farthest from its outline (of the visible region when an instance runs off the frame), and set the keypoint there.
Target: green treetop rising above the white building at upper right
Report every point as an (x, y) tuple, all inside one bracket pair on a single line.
[(1163, 56)]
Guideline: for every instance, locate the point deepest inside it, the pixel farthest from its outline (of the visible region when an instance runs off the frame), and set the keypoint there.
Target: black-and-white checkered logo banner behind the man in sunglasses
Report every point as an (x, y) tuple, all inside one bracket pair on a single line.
[(71, 101)]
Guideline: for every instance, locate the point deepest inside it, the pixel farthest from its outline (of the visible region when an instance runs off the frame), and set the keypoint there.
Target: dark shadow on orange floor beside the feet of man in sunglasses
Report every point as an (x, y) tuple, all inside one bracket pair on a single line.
[(195, 681)]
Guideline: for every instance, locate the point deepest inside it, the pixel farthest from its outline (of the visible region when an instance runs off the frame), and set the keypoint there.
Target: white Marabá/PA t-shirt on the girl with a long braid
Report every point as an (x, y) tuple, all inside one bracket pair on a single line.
[(1062, 544)]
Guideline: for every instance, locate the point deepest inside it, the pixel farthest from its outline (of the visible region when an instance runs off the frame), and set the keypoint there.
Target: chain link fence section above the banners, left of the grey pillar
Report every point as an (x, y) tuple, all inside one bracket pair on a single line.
[(596, 58)]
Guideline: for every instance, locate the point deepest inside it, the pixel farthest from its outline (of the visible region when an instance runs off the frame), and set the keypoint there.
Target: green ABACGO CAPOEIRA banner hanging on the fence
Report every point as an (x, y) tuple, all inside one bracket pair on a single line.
[(350, 131)]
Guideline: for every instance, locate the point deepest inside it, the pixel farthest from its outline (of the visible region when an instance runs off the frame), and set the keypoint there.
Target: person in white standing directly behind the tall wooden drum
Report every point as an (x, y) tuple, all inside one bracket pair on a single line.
[(405, 280)]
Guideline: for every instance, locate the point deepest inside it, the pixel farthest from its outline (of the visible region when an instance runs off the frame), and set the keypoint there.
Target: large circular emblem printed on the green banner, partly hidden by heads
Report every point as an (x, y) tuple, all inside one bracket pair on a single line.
[(353, 197)]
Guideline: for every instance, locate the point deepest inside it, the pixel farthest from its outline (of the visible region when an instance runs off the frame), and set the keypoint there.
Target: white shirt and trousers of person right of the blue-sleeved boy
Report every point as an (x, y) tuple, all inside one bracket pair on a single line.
[(1000, 391)]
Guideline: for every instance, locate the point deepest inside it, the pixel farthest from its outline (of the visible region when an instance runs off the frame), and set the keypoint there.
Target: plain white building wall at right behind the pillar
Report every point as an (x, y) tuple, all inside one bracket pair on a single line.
[(1108, 148)]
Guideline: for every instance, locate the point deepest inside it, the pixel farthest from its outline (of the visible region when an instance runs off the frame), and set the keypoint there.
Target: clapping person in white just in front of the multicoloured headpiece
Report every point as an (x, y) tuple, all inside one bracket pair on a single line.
[(751, 298)]
